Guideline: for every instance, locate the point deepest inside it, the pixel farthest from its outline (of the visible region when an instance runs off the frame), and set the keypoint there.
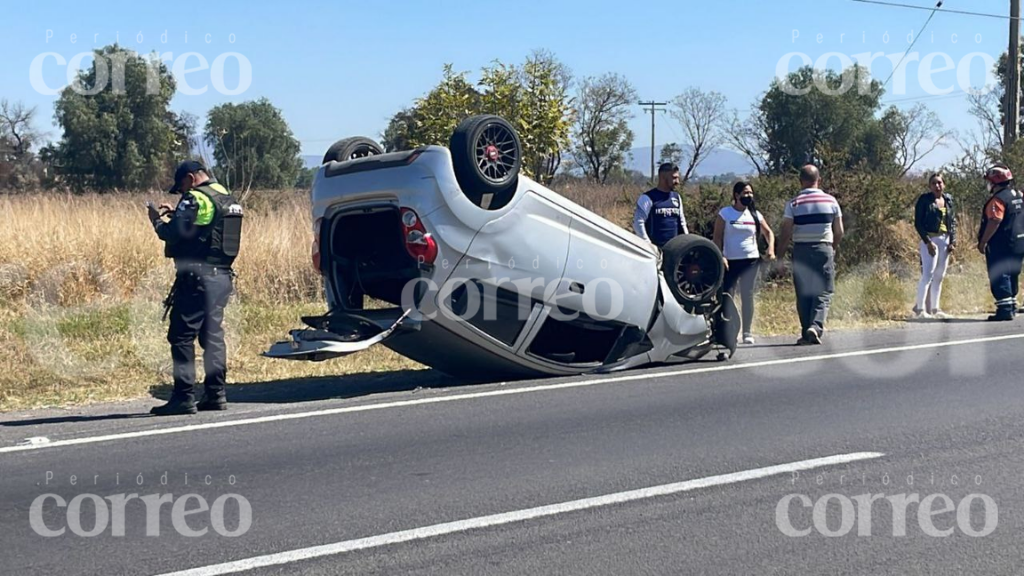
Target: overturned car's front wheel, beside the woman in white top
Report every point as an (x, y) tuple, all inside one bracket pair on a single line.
[(694, 270)]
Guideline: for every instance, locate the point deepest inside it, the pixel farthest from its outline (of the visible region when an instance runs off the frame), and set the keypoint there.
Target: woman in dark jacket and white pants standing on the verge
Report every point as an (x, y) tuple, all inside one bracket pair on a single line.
[(935, 221)]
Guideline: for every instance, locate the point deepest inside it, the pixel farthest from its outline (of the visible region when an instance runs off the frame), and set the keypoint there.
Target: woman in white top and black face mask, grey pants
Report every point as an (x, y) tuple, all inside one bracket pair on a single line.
[(737, 230)]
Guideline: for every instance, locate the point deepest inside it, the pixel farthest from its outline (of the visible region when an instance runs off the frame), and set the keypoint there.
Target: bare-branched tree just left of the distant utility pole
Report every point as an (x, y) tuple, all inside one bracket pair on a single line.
[(601, 132)]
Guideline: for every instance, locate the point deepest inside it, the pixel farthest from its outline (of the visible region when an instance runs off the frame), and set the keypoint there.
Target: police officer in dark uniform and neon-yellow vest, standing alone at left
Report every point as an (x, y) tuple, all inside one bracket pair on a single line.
[(202, 236)]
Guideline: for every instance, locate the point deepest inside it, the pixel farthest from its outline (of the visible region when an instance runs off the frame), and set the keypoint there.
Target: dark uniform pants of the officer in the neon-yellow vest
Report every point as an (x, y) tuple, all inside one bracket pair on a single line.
[(198, 311)]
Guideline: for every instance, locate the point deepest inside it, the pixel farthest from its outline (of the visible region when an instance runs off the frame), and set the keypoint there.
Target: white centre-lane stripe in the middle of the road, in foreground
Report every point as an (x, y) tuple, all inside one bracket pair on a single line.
[(519, 516)]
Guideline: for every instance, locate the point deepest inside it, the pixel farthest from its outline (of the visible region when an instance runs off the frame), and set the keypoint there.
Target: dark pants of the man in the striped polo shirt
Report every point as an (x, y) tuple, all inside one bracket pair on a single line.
[(815, 279)]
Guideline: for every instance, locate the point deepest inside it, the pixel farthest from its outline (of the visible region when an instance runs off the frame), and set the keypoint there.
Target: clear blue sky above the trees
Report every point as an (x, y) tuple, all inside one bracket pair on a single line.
[(343, 68)]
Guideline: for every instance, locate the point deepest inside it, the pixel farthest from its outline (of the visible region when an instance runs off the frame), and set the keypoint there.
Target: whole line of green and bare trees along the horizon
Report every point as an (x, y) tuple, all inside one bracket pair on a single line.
[(572, 128)]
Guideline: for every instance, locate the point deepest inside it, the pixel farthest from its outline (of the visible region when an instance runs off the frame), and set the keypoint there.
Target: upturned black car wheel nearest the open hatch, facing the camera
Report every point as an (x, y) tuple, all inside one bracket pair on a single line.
[(487, 156)]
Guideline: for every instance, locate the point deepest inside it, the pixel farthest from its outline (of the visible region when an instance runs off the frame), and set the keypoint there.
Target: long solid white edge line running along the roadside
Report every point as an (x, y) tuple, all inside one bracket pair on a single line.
[(490, 394)]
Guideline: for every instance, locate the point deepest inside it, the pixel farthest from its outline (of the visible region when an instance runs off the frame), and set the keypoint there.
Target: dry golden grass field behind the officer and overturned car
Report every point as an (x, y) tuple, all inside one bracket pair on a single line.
[(82, 279)]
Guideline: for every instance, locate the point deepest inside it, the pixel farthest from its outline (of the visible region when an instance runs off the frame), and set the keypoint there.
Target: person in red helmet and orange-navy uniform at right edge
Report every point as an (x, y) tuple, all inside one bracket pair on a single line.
[(1002, 240)]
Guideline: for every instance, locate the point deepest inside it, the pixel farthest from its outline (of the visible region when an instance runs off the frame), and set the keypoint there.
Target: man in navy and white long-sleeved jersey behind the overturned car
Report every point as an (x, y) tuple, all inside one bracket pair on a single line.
[(659, 217)]
